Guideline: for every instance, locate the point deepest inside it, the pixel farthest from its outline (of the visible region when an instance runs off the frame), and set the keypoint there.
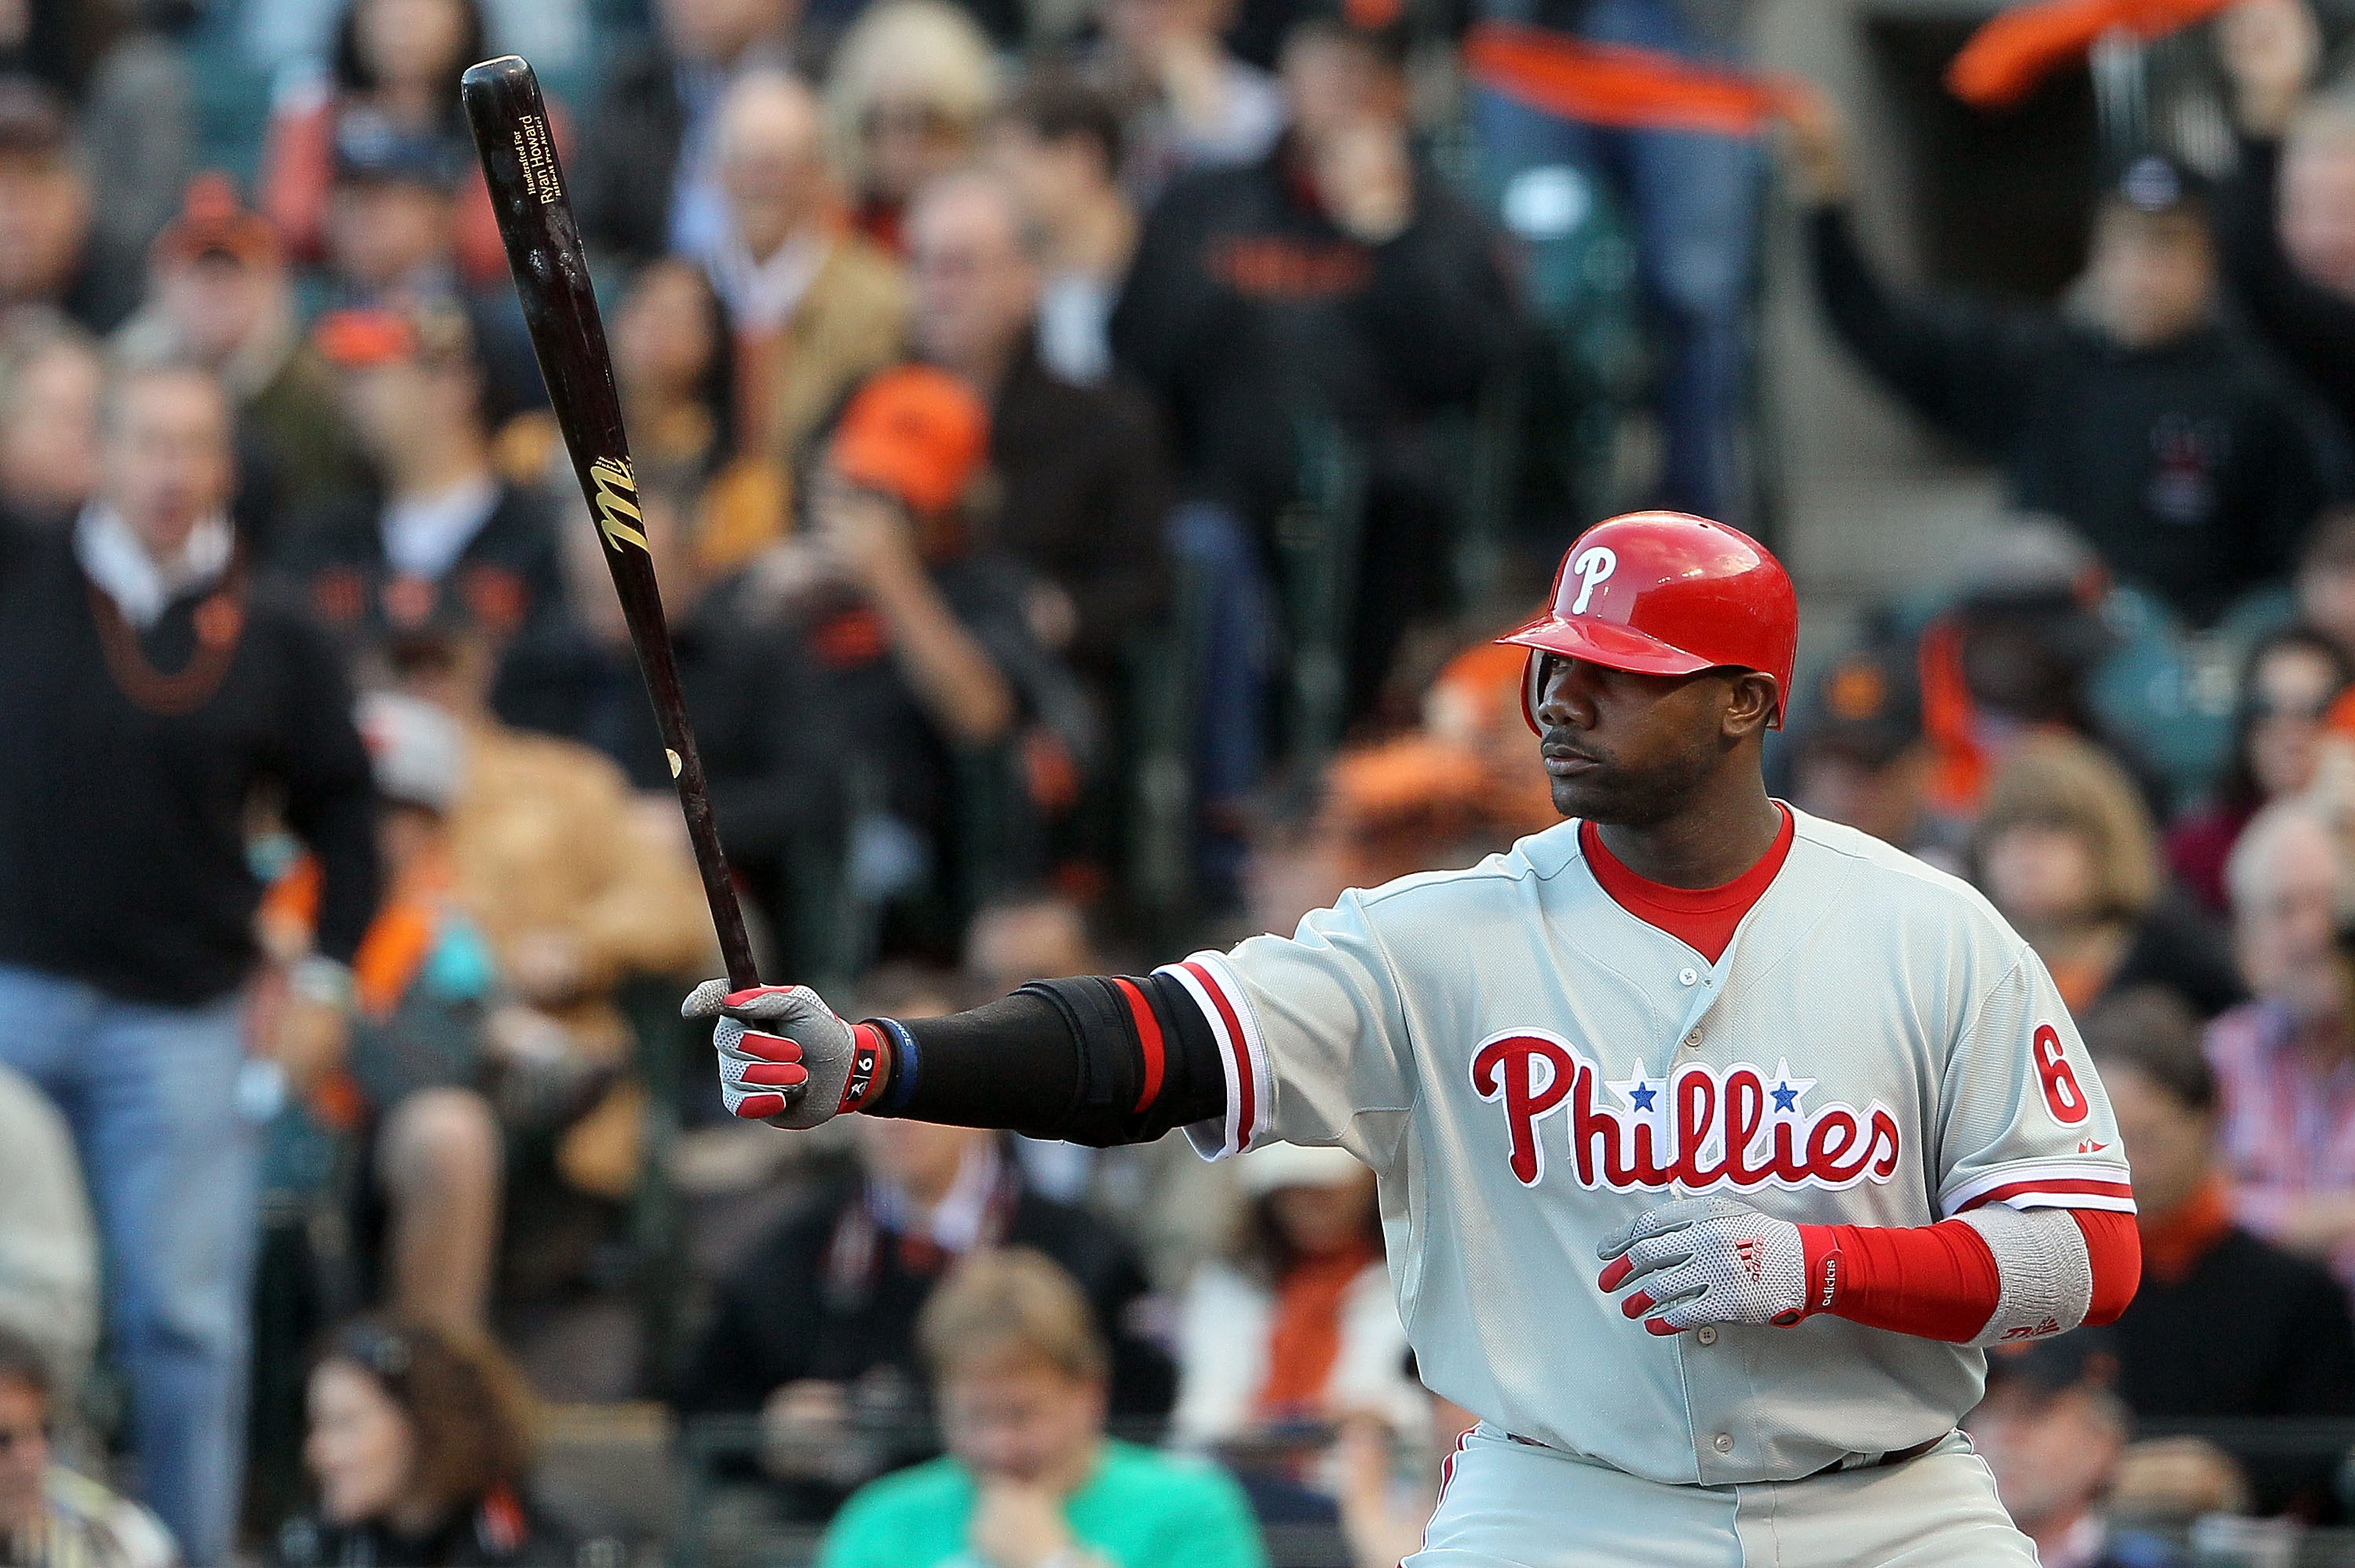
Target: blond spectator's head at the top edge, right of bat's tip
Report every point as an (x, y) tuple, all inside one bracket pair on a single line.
[(910, 88)]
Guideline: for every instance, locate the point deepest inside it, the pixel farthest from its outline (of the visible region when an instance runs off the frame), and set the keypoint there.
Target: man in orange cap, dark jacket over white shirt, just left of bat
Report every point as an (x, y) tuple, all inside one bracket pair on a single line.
[(442, 524)]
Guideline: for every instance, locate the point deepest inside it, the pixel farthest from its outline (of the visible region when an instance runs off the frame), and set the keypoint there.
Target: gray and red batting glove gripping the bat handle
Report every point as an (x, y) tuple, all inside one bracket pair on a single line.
[(785, 1056)]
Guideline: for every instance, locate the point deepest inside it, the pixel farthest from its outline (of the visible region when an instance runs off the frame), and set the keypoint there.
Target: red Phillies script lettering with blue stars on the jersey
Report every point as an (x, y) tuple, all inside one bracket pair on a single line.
[(1697, 1129)]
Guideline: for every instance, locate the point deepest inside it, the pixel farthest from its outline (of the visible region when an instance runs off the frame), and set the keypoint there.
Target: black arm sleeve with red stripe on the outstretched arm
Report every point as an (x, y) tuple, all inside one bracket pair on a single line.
[(1063, 1058)]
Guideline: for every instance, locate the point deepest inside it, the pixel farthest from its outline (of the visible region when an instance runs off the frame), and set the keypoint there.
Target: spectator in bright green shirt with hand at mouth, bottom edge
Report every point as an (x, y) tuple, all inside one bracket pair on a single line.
[(1030, 1480)]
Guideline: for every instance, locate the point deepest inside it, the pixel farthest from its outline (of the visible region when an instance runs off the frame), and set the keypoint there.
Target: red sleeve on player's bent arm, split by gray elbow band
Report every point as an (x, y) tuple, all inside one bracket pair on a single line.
[(1939, 1282)]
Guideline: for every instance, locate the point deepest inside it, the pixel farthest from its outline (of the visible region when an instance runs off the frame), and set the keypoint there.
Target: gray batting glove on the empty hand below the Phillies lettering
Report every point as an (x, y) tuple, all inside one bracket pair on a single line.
[(1709, 1261)]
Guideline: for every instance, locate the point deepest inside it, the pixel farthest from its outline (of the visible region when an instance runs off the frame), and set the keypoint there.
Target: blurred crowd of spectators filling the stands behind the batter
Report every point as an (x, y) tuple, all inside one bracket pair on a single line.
[(1084, 449)]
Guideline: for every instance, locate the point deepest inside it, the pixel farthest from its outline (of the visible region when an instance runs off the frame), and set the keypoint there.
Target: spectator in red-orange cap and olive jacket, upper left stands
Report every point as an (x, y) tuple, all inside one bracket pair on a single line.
[(223, 298)]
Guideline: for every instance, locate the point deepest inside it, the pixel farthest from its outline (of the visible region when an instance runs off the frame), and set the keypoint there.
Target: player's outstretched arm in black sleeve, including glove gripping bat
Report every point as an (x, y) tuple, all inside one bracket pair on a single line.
[(1094, 1061)]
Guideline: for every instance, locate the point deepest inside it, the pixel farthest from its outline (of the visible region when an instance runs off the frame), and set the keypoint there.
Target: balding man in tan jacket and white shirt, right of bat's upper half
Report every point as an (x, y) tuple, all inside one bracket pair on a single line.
[(816, 307)]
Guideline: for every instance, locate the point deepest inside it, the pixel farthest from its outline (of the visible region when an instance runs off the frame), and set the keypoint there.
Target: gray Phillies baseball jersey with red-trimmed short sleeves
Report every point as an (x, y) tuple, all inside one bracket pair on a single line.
[(1527, 1065)]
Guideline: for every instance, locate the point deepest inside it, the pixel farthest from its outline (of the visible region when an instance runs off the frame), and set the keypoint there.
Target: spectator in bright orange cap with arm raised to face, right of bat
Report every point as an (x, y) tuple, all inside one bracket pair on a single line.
[(920, 642)]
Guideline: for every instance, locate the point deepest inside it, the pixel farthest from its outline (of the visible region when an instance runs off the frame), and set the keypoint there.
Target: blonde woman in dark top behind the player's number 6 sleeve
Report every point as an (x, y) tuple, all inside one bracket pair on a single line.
[(2069, 856)]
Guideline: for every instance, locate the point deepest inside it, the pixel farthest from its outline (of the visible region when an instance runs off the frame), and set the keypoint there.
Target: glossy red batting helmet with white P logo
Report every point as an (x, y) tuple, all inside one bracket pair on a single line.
[(1666, 594)]
